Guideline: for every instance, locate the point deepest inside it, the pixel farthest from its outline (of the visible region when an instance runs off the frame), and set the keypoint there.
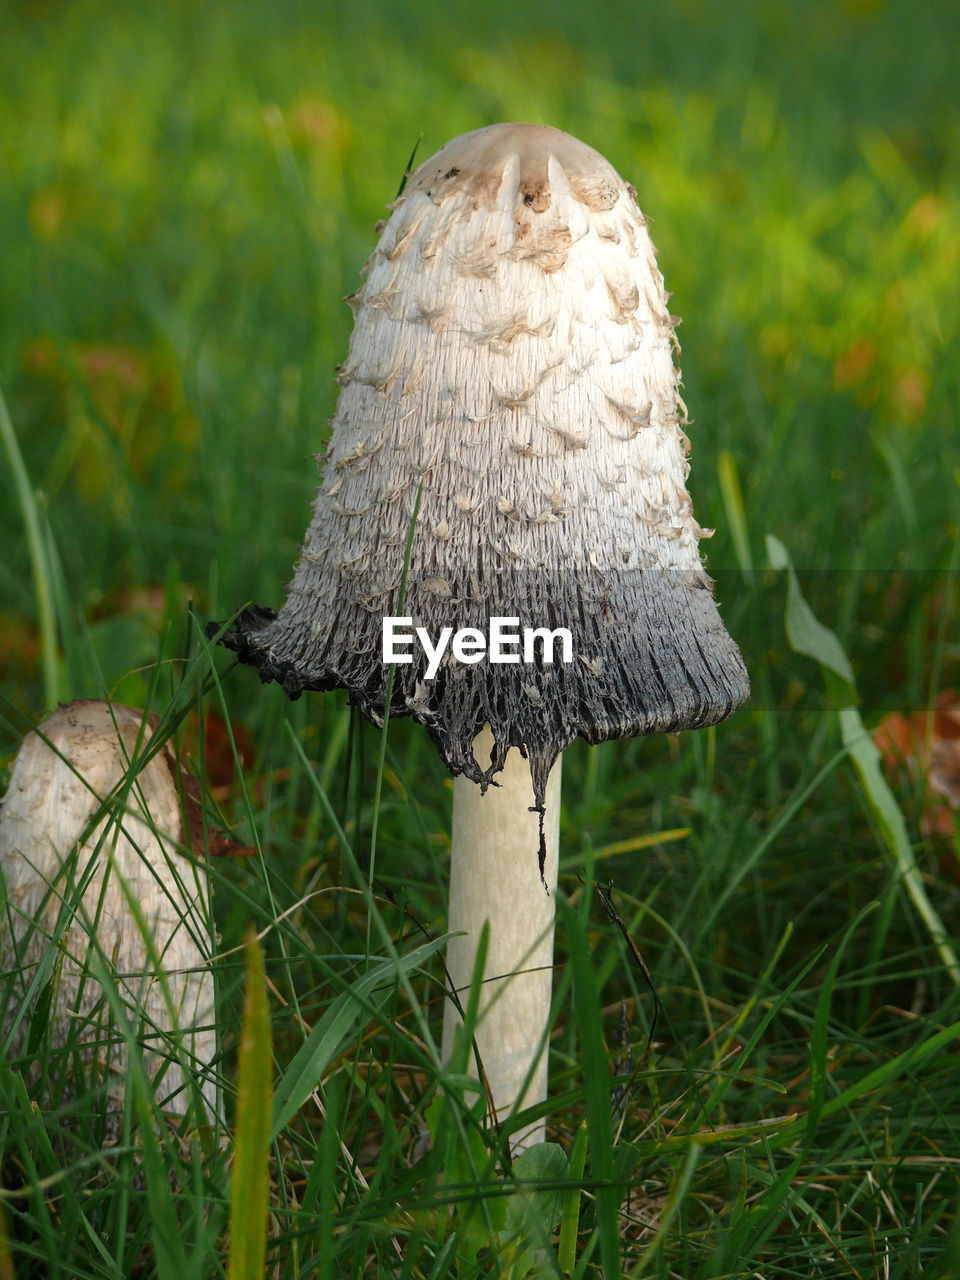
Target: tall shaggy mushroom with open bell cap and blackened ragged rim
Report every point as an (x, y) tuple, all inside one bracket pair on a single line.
[(509, 429)]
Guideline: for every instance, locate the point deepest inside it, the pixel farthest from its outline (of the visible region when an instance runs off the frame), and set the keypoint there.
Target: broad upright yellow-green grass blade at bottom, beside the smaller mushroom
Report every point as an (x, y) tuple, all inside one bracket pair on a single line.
[(250, 1185)]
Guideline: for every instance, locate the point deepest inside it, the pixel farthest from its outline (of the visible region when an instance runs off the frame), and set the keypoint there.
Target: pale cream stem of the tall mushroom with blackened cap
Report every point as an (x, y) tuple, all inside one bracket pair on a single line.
[(495, 877)]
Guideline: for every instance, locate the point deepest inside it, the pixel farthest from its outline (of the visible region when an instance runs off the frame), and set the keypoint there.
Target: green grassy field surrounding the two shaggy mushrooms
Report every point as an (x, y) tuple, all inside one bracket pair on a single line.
[(188, 193)]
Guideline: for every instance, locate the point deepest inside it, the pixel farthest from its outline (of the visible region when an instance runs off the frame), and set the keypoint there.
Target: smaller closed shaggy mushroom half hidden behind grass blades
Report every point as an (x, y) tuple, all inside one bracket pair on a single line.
[(89, 851)]
